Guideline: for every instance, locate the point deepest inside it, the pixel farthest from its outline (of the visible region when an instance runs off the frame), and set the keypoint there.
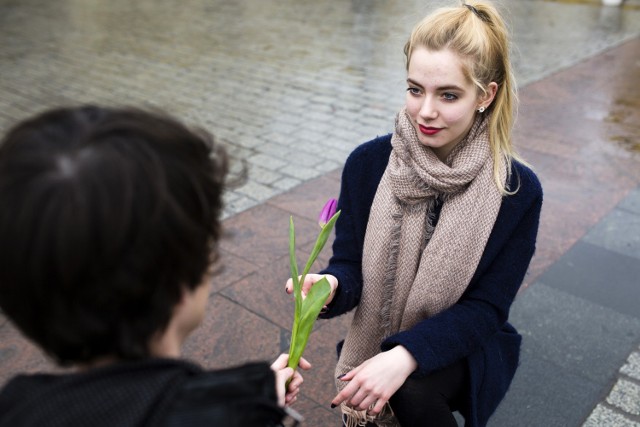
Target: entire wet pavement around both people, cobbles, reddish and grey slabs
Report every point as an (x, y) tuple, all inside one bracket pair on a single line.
[(292, 87)]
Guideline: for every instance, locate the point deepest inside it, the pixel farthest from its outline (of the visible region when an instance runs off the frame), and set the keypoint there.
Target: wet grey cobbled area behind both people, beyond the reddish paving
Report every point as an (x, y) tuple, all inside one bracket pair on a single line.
[(293, 86)]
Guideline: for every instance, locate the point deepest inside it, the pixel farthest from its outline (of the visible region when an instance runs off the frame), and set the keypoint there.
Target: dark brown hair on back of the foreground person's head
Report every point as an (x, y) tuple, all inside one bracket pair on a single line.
[(105, 216)]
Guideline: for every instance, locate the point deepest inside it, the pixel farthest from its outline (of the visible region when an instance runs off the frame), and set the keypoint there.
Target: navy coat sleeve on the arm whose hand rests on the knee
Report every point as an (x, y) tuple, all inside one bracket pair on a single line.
[(483, 309)]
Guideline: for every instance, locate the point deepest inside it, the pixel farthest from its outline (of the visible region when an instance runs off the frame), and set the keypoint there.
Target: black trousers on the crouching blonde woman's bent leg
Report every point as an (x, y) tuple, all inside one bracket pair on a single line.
[(431, 400)]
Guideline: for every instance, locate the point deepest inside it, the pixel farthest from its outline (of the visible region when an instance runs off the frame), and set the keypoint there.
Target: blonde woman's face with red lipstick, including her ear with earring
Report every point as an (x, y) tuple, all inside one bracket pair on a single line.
[(441, 102)]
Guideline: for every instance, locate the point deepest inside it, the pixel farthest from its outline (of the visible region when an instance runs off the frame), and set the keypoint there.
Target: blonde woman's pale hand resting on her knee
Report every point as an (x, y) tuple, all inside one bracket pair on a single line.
[(376, 380)]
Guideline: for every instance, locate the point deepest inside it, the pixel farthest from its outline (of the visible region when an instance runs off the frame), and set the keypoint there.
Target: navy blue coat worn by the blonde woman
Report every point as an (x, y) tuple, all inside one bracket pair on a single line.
[(476, 327)]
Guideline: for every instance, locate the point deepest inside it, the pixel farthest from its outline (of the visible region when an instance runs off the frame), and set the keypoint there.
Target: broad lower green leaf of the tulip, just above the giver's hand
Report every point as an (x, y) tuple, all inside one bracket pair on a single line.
[(303, 325)]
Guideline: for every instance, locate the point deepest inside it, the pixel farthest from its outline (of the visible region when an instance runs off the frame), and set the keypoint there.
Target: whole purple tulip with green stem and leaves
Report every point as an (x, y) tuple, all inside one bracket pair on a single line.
[(308, 309)]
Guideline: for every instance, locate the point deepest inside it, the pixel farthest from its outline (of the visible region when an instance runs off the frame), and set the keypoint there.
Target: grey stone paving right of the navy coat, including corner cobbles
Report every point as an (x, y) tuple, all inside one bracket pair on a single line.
[(581, 326)]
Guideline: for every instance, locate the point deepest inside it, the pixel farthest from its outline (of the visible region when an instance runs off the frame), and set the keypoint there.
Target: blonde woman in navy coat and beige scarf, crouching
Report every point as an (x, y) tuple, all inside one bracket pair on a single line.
[(438, 226)]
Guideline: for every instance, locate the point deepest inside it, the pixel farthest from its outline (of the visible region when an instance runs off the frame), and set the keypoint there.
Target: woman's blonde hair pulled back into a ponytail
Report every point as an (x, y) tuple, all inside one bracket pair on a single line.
[(477, 33)]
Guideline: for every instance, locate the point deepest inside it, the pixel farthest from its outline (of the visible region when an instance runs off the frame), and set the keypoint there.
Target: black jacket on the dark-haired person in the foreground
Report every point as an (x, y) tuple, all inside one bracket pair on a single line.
[(154, 392)]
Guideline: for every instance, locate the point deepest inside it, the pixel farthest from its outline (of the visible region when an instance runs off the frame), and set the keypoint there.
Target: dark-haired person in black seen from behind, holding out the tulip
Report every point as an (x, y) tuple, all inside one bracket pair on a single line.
[(109, 220)]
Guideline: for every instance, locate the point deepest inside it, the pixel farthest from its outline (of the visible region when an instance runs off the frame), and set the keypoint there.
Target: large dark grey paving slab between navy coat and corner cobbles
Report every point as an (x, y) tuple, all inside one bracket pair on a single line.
[(571, 346)]
